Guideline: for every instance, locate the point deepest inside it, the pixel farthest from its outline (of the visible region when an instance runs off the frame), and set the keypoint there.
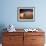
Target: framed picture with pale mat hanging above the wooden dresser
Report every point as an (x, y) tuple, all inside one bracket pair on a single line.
[(26, 14)]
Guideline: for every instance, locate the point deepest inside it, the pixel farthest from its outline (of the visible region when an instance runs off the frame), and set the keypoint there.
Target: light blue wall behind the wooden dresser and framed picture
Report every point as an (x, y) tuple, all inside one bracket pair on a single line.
[(8, 13)]
